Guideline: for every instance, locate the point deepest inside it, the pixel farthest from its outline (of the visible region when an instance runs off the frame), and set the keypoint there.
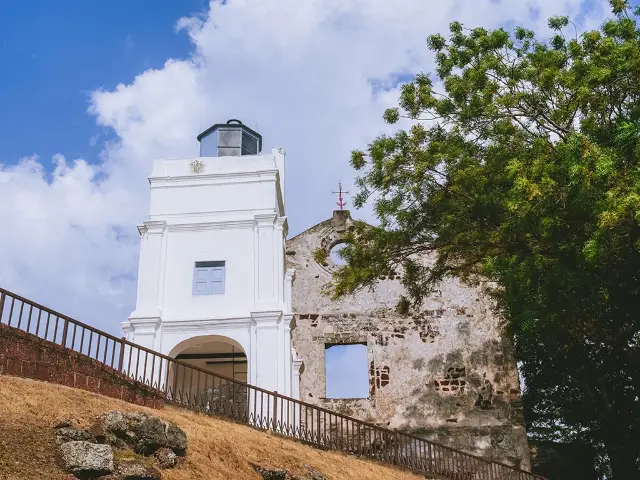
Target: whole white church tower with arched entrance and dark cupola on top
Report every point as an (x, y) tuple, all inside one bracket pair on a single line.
[(212, 285)]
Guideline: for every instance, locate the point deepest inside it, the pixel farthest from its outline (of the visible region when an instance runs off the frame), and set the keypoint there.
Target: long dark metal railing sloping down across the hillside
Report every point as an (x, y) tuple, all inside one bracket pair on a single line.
[(200, 390)]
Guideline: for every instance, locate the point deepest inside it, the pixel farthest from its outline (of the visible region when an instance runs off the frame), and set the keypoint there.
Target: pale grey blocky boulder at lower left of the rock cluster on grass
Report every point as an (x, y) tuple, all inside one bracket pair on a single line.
[(85, 459)]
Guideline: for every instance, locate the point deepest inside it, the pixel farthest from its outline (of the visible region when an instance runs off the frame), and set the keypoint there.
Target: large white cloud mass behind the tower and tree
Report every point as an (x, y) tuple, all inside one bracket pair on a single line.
[(300, 72)]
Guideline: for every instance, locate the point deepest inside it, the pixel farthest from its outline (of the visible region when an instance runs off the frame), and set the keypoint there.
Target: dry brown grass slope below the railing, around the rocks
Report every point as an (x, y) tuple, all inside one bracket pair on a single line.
[(217, 449)]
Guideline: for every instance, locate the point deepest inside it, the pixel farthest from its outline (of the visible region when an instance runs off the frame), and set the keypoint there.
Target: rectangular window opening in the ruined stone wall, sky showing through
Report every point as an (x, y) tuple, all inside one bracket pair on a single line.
[(347, 371)]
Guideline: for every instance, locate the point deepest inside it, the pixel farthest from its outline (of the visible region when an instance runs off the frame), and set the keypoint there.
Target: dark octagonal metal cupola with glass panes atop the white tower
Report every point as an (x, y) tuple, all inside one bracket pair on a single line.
[(229, 139)]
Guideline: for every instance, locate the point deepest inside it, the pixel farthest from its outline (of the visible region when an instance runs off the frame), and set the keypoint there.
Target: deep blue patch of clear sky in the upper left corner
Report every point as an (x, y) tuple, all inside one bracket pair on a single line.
[(55, 53)]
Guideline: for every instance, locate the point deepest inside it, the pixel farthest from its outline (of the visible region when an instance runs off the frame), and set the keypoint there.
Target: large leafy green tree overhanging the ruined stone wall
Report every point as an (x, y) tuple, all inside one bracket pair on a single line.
[(522, 167)]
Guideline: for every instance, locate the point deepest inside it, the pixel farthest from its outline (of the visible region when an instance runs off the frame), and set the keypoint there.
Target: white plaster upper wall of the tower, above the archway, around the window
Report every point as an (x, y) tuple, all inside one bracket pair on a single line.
[(229, 209)]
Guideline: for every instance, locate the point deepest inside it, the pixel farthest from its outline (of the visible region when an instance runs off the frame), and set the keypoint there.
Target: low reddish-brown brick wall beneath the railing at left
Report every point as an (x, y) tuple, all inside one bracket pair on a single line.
[(25, 355)]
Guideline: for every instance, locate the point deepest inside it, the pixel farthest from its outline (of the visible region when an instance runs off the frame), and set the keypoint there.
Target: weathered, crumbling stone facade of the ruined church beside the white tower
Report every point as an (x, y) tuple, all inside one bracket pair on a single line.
[(445, 373)]
